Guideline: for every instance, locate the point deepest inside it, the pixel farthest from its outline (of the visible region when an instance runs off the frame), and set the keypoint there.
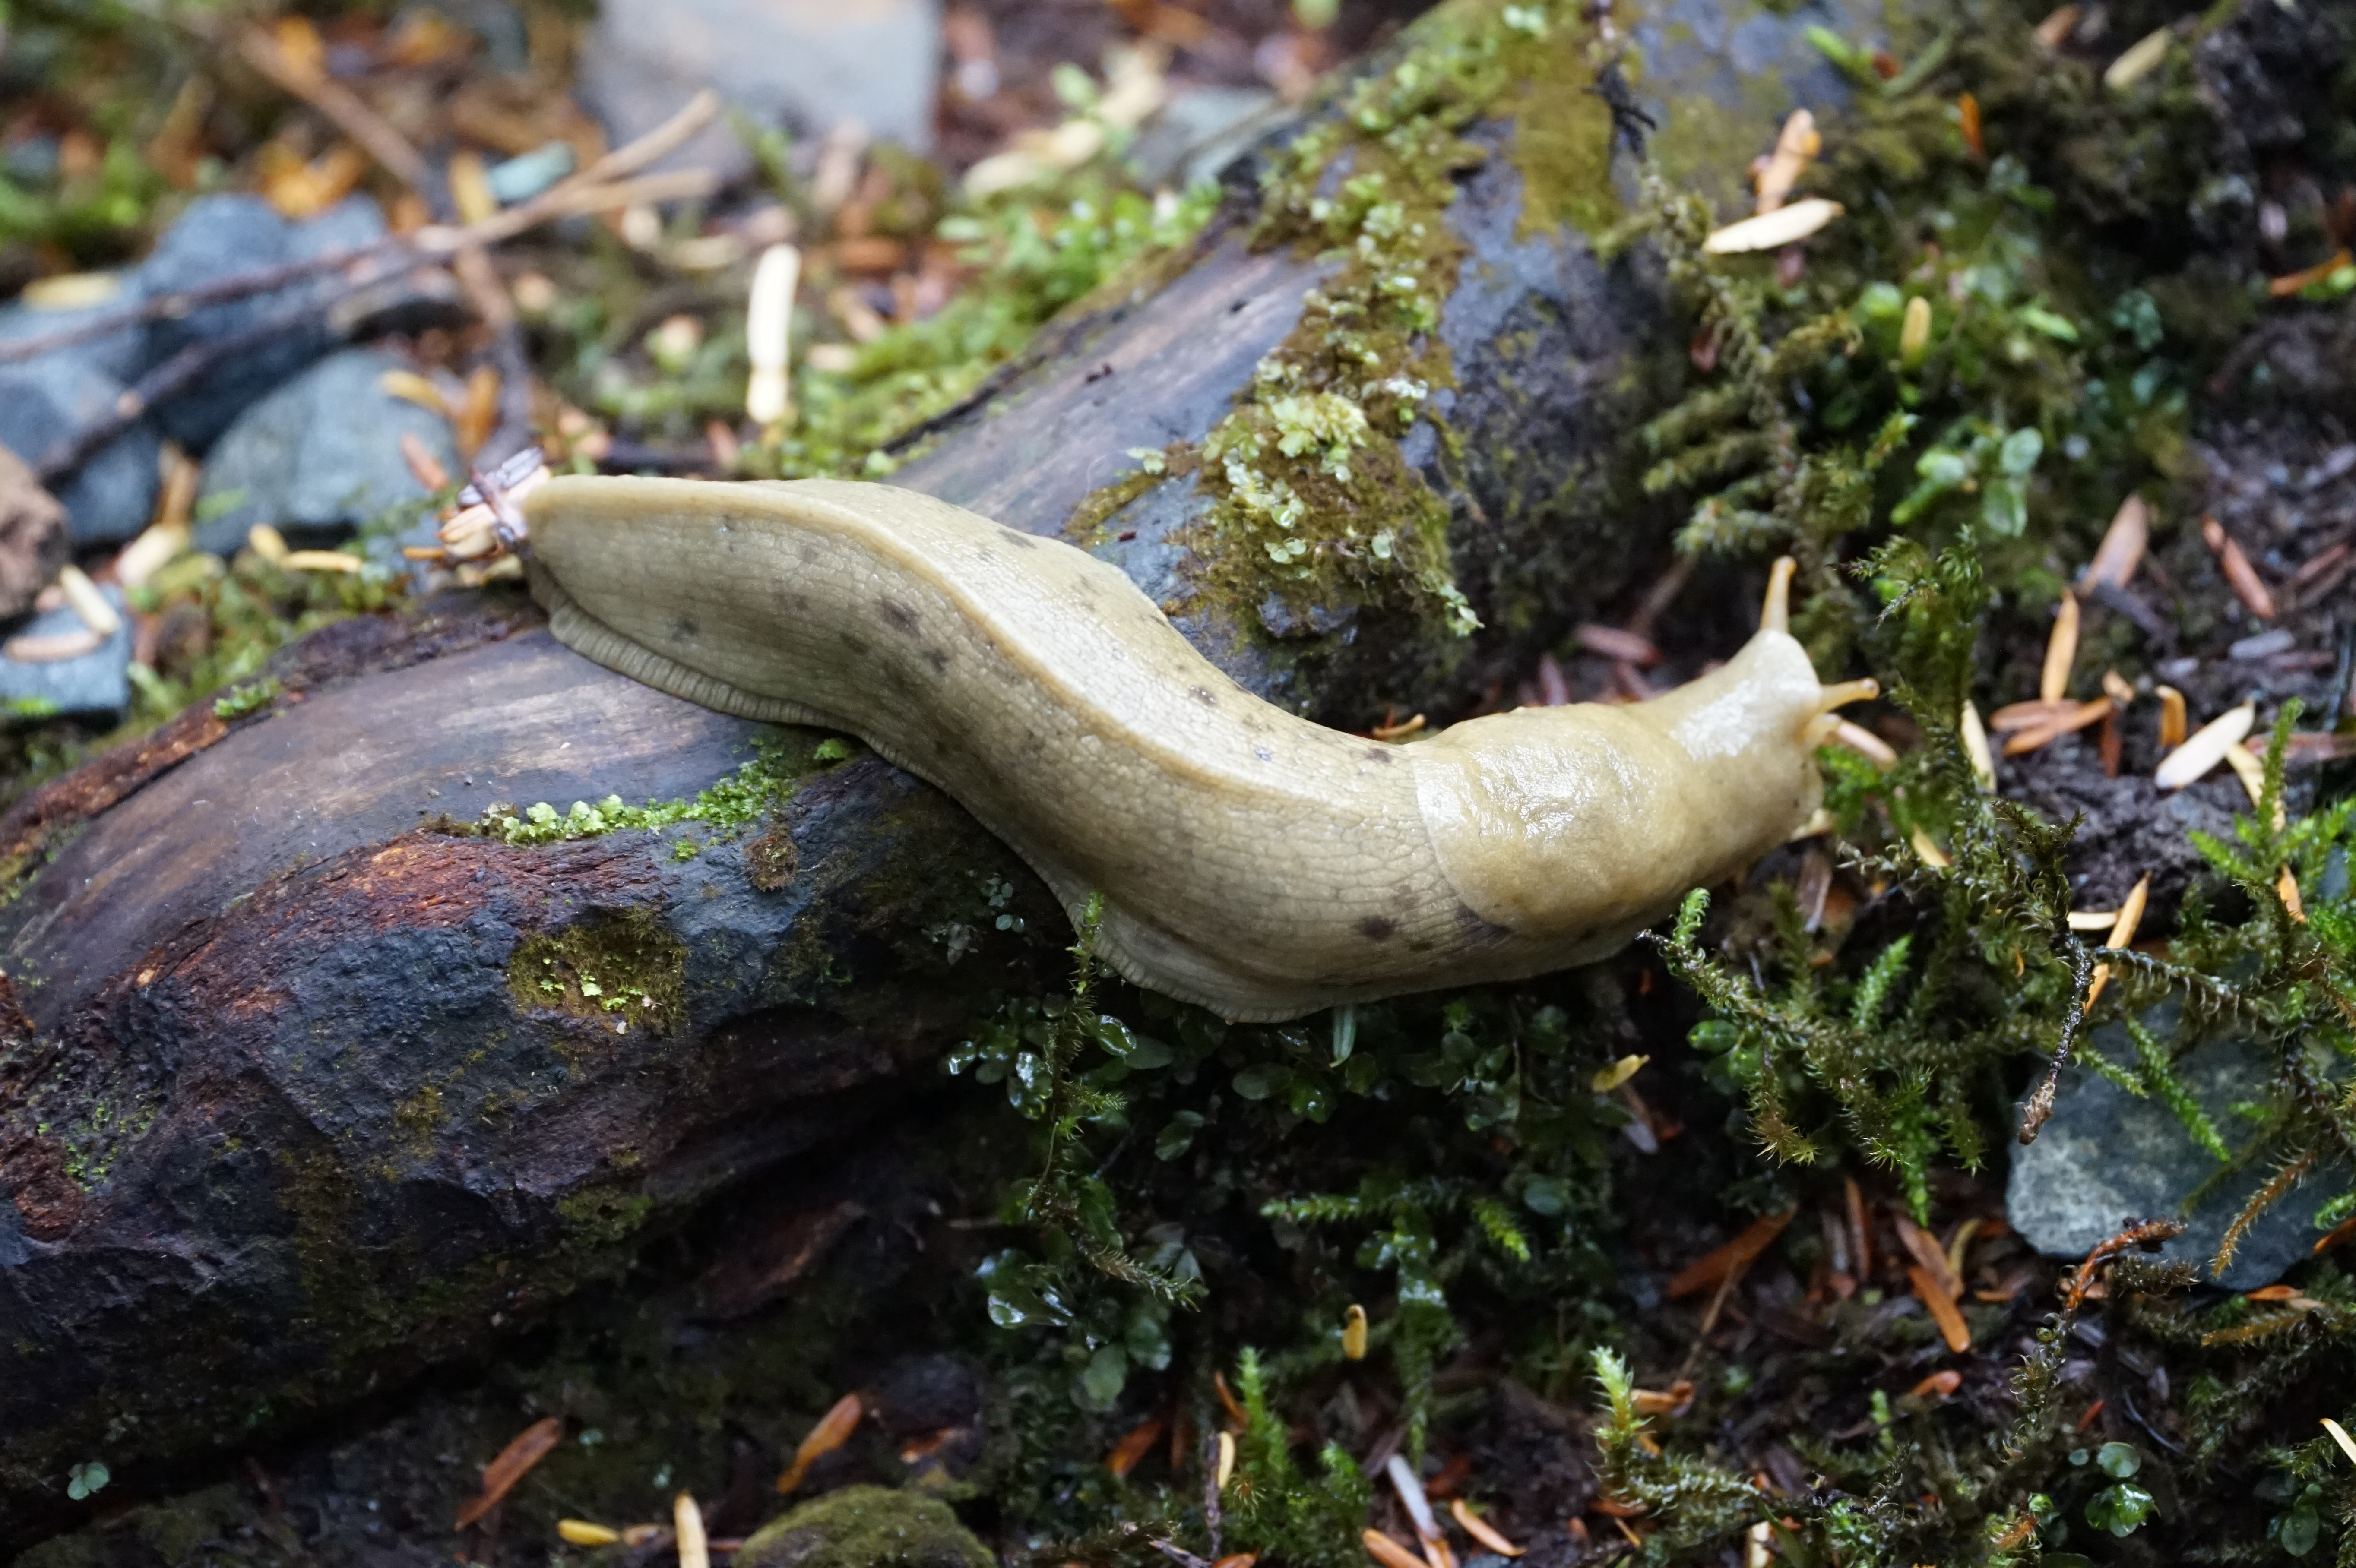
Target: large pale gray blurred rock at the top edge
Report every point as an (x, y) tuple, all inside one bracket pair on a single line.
[(802, 65)]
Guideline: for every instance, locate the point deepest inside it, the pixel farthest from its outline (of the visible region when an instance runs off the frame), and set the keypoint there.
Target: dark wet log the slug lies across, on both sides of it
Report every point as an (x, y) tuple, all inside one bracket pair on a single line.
[(305, 1087)]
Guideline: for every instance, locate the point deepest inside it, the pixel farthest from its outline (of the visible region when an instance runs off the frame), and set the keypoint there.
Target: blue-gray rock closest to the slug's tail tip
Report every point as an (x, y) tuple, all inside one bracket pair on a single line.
[(317, 456)]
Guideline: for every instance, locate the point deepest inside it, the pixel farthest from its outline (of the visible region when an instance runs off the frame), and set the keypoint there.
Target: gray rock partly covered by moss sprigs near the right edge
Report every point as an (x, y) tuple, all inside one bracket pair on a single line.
[(2107, 1157)]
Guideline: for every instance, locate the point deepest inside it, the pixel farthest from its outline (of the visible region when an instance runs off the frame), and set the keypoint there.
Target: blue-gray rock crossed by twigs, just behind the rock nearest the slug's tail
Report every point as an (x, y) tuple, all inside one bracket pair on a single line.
[(232, 234)]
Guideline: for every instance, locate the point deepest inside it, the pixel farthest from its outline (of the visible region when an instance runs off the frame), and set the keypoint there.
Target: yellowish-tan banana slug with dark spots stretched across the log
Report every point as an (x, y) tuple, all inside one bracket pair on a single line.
[(1250, 861)]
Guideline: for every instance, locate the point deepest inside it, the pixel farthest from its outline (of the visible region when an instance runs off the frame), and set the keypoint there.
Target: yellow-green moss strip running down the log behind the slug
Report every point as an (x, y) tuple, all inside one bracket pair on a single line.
[(1313, 498)]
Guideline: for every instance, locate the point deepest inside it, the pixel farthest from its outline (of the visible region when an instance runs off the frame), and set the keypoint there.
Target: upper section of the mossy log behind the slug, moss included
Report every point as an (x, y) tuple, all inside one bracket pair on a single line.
[(1372, 446)]
